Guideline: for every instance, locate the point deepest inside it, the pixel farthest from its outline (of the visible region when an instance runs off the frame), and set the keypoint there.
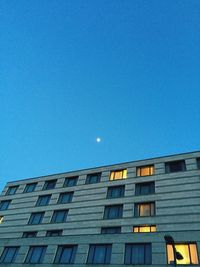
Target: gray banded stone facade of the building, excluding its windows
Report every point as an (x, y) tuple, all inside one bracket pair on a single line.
[(177, 212)]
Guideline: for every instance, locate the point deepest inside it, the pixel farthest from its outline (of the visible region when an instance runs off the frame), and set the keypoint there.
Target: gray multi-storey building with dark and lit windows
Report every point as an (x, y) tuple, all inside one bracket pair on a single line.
[(145, 212)]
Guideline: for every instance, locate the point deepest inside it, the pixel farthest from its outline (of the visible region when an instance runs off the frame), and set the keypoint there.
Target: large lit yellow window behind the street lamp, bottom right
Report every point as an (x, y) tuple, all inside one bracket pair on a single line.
[(188, 252)]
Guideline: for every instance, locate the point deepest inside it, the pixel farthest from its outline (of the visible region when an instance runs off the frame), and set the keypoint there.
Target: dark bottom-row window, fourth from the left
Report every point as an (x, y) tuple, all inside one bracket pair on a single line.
[(99, 253)]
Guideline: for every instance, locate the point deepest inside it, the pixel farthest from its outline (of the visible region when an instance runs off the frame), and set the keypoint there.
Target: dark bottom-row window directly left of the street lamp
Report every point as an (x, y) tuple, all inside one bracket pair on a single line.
[(138, 254)]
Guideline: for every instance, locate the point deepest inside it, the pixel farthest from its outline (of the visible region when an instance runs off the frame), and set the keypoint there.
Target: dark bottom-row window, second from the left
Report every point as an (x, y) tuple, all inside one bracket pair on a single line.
[(35, 254)]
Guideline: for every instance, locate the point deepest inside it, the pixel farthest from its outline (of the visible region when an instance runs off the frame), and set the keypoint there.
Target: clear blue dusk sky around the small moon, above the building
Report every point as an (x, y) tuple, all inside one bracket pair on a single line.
[(127, 71)]
